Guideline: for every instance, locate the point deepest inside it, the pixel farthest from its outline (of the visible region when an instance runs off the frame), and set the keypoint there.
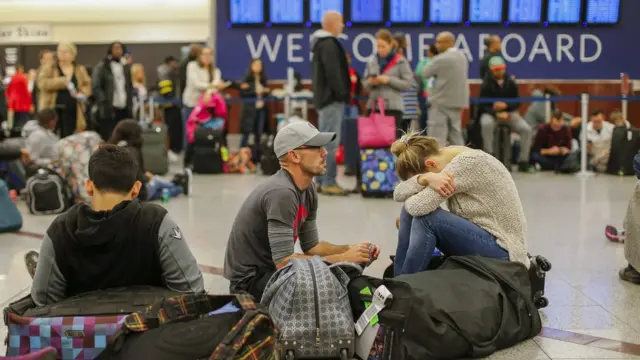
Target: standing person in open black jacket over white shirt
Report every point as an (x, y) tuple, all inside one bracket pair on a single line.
[(112, 89)]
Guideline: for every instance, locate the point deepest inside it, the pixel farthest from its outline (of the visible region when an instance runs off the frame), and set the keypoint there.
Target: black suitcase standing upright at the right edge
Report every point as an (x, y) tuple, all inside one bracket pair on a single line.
[(625, 144)]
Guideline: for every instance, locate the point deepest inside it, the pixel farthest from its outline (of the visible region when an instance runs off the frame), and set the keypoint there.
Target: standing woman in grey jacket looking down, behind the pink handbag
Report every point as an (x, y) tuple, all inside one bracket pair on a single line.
[(386, 76)]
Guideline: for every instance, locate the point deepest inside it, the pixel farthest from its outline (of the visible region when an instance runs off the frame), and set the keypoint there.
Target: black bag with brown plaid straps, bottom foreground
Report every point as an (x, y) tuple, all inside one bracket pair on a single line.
[(190, 327)]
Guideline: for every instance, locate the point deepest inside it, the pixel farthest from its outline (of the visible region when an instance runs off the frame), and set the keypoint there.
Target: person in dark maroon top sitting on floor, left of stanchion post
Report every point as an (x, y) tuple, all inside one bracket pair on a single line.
[(552, 144)]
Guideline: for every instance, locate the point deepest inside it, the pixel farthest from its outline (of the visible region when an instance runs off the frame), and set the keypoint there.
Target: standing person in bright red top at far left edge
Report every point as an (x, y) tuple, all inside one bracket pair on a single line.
[(19, 99)]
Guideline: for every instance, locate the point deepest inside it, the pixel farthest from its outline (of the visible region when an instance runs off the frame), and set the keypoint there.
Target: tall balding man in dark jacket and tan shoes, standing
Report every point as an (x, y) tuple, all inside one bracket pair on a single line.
[(331, 87)]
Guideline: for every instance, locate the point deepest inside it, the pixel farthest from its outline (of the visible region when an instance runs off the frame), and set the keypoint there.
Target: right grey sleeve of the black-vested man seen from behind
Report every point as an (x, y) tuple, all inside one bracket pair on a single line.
[(180, 269)]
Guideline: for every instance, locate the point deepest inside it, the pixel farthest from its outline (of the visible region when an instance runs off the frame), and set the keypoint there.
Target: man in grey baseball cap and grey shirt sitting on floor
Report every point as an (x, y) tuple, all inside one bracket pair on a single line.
[(282, 210)]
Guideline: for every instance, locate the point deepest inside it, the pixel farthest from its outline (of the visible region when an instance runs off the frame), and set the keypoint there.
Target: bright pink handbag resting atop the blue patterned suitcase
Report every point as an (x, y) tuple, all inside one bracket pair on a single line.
[(377, 130)]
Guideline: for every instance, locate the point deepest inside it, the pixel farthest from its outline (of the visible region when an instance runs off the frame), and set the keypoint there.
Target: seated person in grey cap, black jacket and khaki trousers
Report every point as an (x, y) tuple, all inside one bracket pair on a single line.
[(498, 84)]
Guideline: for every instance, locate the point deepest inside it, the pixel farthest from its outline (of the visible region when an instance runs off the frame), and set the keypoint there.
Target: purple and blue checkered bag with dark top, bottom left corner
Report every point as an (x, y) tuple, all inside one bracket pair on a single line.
[(79, 327)]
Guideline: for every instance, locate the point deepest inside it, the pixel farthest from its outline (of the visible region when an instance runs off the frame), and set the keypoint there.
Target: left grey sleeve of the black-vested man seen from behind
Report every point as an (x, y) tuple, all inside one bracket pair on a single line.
[(48, 284)]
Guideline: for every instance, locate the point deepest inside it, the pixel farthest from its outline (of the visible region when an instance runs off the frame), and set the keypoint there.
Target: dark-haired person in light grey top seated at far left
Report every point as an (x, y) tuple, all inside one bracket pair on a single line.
[(42, 141)]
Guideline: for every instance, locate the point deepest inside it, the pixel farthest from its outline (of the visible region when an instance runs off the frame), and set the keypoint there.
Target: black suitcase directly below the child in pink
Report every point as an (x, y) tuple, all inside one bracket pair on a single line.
[(207, 151)]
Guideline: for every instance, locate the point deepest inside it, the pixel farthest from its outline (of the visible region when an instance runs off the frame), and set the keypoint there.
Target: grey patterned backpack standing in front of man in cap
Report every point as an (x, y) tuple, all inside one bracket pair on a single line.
[(309, 302)]
